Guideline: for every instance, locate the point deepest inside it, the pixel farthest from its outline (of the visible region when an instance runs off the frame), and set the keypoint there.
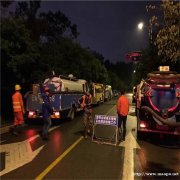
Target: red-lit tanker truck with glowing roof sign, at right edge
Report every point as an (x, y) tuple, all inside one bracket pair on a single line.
[(158, 103)]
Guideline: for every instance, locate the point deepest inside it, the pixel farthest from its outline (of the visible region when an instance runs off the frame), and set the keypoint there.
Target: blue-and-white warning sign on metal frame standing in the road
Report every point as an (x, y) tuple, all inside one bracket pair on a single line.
[(105, 129)]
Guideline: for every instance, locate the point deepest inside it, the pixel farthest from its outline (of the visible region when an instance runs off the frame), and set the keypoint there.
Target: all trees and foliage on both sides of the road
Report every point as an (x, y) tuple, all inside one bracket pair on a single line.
[(35, 43)]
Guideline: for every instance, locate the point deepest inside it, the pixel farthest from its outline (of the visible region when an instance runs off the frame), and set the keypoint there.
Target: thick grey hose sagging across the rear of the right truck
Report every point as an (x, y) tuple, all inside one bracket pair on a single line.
[(165, 121)]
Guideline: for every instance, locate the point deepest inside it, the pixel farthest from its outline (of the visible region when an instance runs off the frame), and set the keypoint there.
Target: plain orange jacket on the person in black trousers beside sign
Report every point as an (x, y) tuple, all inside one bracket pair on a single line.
[(123, 105)]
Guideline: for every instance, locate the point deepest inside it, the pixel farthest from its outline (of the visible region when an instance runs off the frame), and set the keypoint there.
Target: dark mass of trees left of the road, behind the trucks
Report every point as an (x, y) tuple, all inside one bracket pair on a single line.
[(33, 44)]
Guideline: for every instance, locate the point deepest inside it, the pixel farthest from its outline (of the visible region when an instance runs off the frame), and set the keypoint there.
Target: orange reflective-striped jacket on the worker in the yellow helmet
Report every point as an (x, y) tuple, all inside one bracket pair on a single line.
[(17, 102)]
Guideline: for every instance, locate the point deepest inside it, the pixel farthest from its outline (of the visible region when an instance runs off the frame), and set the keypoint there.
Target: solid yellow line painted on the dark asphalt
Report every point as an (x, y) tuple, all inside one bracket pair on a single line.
[(53, 164)]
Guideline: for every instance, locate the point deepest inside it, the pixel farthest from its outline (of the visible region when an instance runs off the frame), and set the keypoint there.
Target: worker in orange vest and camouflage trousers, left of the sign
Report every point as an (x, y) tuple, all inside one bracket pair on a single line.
[(85, 103)]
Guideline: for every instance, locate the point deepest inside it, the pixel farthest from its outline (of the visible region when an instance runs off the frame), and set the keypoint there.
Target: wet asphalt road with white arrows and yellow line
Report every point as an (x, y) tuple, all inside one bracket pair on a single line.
[(67, 155)]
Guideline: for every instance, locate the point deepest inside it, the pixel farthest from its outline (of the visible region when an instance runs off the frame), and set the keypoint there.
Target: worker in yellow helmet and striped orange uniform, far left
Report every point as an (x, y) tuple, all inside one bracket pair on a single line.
[(18, 108)]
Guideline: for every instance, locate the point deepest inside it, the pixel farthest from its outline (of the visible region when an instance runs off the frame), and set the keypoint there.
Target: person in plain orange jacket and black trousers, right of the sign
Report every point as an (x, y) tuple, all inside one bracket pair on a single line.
[(122, 111)]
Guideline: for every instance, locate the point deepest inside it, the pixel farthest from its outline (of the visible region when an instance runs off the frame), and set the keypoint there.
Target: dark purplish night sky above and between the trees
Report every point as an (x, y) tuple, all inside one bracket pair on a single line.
[(107, 27)]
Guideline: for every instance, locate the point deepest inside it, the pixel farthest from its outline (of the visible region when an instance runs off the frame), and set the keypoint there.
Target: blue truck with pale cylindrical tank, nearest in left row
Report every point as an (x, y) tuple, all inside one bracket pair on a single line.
[(65, 93)]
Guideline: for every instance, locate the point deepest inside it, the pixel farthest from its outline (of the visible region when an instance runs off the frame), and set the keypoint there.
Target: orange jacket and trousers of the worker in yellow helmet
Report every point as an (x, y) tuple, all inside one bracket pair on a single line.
[(18, 108)]
